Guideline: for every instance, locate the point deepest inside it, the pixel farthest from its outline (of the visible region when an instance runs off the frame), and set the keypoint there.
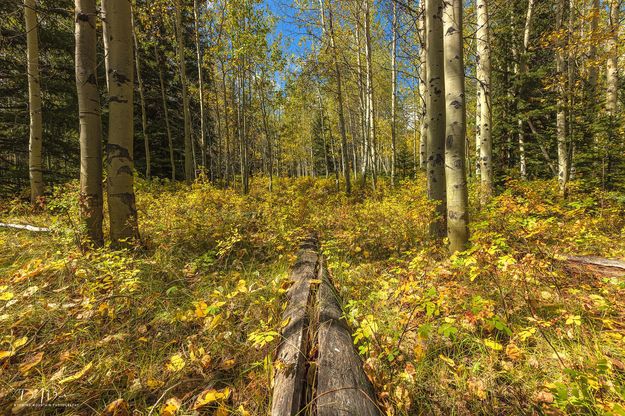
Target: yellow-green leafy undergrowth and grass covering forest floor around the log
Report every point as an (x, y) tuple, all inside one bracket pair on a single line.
[(189, 323)]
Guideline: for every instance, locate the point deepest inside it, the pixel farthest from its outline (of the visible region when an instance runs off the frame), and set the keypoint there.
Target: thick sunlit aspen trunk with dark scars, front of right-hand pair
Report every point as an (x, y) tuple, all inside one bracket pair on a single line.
[(455, 130)]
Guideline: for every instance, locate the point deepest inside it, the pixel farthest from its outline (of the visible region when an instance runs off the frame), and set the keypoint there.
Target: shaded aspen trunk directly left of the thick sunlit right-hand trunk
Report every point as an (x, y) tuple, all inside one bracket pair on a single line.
[(436, 114)]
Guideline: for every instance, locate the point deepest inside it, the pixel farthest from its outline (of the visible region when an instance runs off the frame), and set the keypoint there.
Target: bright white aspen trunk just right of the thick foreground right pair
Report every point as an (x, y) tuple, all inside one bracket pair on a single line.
[(484, 67)]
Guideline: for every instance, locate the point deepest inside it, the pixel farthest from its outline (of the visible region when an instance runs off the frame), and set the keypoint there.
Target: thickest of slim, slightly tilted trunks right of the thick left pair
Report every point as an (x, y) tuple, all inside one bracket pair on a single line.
[(189, 162)]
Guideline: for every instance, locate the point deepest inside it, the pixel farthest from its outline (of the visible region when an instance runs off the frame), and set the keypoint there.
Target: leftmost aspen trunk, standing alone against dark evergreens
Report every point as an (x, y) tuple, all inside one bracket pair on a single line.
[(35, 167)]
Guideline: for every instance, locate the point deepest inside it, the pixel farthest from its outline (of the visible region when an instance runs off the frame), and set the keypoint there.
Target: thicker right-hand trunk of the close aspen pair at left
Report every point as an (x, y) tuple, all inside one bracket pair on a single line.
[(119, 150)]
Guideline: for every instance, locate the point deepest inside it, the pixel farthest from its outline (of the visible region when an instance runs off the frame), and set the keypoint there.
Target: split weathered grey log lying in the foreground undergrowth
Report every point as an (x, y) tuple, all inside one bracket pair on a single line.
[(317, 370)]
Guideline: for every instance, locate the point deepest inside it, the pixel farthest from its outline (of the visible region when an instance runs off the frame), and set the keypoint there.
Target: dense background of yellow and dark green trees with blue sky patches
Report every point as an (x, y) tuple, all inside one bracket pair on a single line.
[(279, 108)]
